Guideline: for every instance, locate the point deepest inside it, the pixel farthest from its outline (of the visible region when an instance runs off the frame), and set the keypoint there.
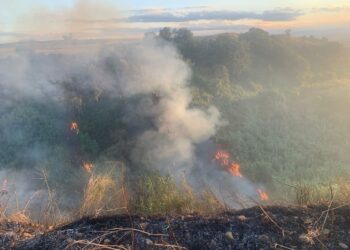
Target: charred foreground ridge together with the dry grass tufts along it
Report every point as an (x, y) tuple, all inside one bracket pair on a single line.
[(173, 215)]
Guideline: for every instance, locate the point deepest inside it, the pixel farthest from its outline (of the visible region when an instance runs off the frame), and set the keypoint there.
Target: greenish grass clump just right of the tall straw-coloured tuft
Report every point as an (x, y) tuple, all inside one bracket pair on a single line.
[(158, 194)]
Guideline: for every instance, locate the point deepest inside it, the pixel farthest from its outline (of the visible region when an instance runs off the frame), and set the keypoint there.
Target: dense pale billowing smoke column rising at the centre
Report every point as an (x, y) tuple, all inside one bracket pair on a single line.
[(153, 69)]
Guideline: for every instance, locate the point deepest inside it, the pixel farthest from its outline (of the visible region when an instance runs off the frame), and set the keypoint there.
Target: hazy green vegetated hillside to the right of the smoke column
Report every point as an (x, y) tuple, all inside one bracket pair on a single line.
[(284, 100)]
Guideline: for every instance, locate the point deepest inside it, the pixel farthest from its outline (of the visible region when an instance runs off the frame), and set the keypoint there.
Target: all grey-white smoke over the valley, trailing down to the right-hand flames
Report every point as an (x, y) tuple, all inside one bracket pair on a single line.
[(163, 131)]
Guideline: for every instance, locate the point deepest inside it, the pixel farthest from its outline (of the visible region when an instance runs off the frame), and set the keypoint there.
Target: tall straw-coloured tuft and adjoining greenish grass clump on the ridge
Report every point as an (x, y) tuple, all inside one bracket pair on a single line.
[(107, 192)]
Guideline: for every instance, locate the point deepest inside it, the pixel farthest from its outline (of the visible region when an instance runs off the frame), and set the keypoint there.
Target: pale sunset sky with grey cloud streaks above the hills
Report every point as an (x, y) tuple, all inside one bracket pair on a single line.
[(85, 19)]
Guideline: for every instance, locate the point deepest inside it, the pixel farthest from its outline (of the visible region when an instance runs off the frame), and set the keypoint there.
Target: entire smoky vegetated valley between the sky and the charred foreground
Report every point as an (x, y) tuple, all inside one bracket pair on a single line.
[(144, 120)]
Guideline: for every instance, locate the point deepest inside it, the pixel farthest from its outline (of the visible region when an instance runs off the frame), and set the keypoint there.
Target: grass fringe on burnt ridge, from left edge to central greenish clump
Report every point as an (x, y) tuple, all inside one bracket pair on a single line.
[(107, 192)]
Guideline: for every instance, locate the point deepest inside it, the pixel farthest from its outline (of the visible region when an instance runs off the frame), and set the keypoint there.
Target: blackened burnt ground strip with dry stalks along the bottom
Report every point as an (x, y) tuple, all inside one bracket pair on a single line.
[(274, 227)]
